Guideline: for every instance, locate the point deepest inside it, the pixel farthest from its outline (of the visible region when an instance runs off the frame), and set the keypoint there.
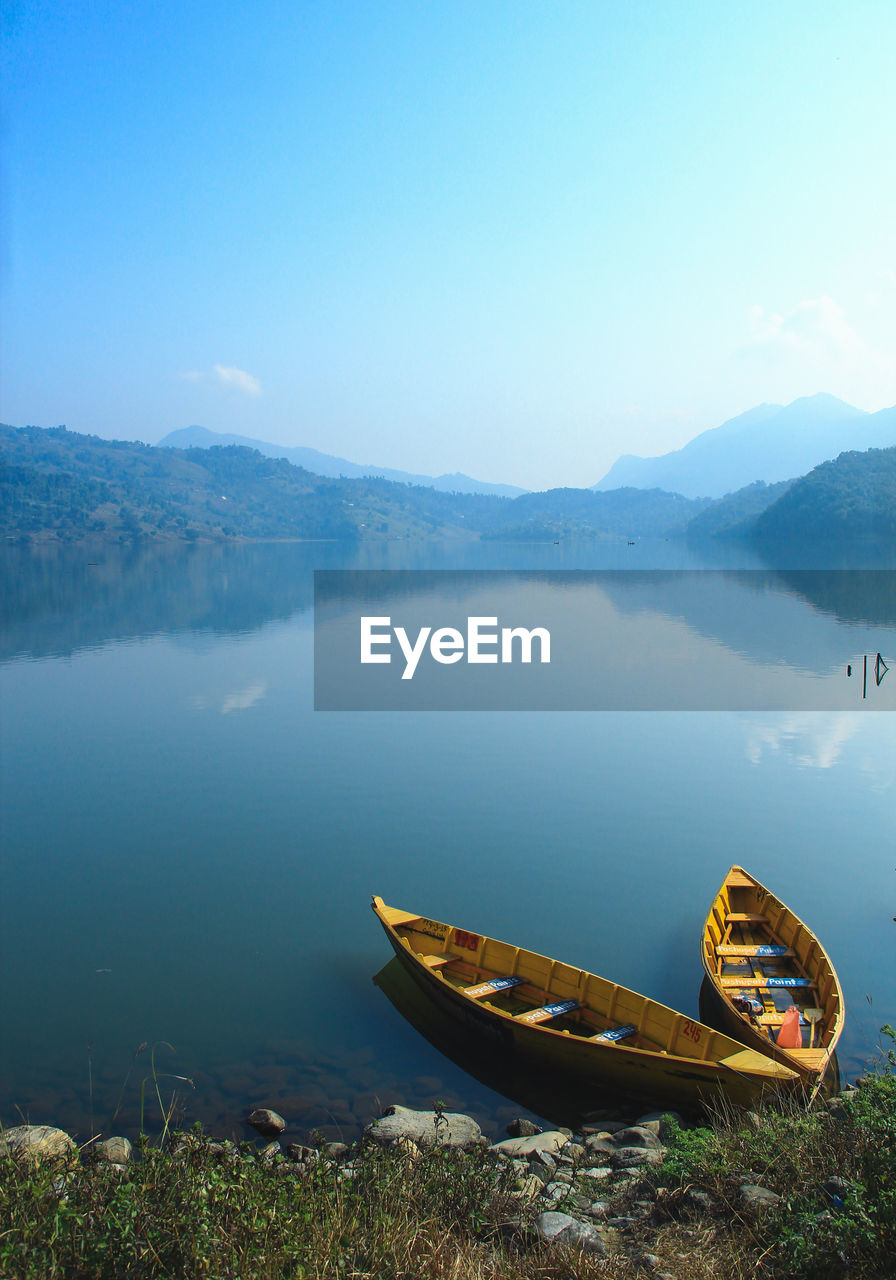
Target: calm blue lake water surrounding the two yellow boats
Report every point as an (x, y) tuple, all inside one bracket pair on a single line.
[(190, 848)]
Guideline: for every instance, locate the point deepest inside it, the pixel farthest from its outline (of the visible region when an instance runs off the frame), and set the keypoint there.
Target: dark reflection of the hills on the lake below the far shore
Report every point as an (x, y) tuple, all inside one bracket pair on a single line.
[(61, 600)]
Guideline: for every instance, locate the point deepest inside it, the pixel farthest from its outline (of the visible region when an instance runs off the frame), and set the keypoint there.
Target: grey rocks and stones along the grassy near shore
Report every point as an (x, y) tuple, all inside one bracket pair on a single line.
[(589, 1191)]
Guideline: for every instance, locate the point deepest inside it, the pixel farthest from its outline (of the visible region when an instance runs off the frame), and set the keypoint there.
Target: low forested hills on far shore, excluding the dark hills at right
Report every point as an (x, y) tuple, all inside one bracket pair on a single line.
[(62, 486)]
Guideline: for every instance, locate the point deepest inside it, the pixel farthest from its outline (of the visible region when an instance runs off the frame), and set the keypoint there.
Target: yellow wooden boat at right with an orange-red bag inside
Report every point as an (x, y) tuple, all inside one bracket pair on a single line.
[(771, 981)]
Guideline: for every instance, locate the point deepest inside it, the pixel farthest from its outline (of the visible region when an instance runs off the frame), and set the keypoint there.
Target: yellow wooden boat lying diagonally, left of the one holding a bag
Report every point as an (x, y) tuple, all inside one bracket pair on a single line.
[(572, 1023)]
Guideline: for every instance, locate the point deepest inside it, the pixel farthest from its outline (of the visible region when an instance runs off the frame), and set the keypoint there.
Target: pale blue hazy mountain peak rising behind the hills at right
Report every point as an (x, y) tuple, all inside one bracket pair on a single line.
[(769, 444)]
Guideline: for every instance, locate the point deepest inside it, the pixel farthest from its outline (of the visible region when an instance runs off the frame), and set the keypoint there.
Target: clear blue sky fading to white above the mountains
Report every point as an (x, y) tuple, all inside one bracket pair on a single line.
[(509, 239)]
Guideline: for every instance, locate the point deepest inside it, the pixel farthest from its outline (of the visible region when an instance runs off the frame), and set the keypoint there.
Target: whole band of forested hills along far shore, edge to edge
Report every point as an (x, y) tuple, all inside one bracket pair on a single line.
[(62, 486)]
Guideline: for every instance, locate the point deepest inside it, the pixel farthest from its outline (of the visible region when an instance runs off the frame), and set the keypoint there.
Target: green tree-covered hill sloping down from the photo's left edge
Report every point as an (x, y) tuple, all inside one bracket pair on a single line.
[(61, 486)]
